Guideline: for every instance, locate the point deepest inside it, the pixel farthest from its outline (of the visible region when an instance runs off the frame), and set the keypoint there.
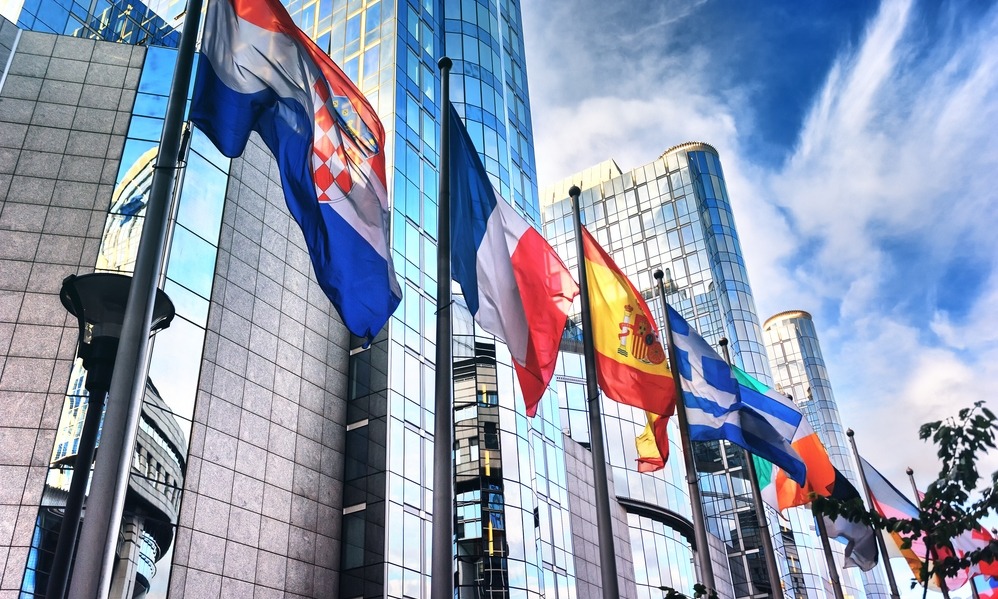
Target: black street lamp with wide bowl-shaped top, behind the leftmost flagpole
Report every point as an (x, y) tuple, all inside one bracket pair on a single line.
[(98, 302)]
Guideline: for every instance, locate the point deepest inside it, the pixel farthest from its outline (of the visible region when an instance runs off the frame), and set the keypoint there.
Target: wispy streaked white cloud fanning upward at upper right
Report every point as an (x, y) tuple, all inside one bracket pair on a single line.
[(893, 145)]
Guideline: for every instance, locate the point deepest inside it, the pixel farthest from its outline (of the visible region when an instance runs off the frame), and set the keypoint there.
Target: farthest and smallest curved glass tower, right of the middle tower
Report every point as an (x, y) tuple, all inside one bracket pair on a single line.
[(799, 371)]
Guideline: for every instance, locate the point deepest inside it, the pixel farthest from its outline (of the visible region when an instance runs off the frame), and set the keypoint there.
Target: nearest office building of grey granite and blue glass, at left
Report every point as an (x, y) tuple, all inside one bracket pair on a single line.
[(309, 461)]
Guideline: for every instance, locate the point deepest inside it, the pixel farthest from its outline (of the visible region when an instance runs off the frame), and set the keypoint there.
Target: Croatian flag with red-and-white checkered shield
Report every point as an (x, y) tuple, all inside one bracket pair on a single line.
[(259, 72)]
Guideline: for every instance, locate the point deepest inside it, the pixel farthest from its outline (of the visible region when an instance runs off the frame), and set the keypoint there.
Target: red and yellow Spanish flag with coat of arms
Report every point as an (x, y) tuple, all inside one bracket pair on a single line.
[(630, 359)]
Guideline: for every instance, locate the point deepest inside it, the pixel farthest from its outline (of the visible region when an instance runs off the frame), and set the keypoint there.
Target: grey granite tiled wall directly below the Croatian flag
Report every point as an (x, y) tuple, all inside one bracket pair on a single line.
[(276, 354)]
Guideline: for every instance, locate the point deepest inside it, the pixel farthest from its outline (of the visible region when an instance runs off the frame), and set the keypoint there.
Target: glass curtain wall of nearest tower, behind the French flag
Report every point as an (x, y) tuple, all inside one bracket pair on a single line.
[(512, 528)]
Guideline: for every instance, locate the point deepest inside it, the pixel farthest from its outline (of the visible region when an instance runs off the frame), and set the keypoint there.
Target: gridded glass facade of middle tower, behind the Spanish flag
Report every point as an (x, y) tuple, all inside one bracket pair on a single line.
[(674, 213)]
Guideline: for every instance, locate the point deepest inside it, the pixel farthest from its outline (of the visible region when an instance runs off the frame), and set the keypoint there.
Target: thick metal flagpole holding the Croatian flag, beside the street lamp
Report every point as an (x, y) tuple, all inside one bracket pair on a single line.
[(98, 539)]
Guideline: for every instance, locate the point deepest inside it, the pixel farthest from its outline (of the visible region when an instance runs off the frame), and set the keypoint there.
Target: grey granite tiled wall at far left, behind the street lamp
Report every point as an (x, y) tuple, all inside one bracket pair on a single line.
[(52, 210)]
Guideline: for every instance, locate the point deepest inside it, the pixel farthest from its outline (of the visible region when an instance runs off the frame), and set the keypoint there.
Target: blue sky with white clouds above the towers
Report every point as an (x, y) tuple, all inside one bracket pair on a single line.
[(860, 147)]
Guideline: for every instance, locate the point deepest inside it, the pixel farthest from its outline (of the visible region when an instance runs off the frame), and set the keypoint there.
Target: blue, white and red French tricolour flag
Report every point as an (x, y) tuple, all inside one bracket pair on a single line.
[(515, 285)]
